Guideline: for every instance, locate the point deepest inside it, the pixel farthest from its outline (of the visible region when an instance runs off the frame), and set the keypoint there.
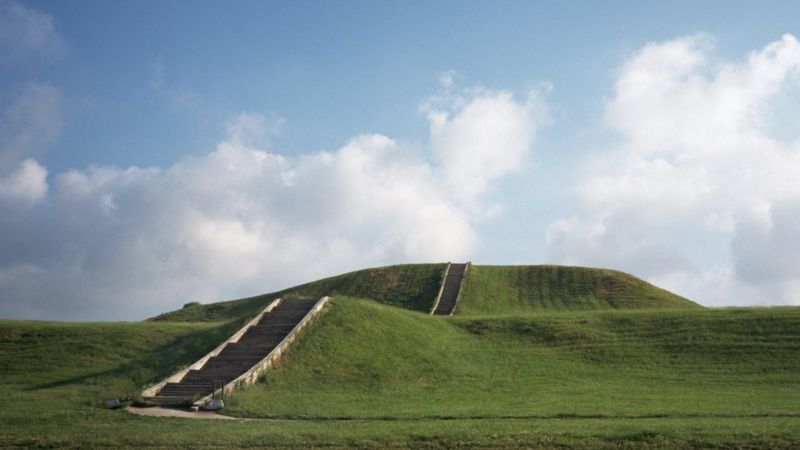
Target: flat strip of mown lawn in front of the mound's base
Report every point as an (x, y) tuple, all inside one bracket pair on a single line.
[(83, 428)]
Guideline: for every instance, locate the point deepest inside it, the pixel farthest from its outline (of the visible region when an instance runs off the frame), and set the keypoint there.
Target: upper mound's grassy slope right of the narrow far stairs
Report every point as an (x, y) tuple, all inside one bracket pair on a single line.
[(518, 289)]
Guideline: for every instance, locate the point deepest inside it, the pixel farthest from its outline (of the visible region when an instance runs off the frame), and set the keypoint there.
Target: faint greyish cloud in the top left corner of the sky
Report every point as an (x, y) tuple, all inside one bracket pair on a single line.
[(26, 32)]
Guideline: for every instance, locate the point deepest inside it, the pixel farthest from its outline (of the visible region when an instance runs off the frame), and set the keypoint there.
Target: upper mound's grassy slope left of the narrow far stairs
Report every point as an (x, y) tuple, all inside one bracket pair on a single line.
[(411, 286)]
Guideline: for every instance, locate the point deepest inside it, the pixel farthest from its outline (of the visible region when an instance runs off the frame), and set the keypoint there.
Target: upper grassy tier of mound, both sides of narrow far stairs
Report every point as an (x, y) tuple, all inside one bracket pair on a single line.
[(488, 290)]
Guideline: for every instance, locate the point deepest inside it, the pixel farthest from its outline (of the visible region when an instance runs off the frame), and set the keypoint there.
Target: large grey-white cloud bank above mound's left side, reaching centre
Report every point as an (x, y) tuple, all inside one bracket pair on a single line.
[(120, 243)]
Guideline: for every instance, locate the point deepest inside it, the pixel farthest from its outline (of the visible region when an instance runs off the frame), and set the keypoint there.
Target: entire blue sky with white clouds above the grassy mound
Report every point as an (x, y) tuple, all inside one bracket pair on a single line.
[(123, 122)]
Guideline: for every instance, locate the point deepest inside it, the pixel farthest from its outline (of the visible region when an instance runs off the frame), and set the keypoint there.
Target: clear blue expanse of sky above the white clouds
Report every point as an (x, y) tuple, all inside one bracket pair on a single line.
[(340, 68)]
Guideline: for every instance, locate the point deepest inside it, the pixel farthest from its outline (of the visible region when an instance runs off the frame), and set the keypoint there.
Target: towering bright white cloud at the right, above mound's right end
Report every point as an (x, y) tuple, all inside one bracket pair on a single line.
[(698, 161)]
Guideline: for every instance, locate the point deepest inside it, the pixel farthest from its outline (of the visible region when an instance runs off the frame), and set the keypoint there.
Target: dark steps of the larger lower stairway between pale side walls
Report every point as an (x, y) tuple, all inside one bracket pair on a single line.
[(238, 357)]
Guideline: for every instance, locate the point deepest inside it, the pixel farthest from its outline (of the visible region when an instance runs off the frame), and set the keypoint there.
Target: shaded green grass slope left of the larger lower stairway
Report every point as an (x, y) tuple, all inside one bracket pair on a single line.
[(121, 357)]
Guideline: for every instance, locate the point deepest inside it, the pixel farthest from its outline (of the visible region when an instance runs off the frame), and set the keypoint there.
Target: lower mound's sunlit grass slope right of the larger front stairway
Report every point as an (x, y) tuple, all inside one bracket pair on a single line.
[(365, 360)]
